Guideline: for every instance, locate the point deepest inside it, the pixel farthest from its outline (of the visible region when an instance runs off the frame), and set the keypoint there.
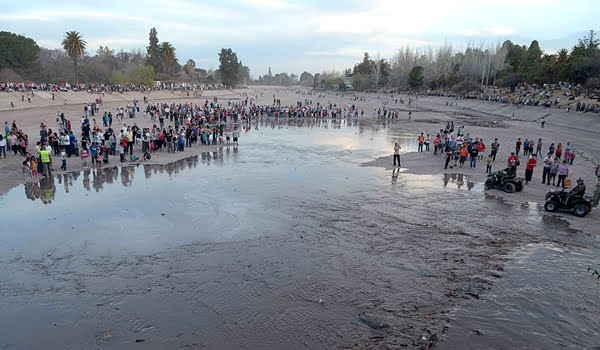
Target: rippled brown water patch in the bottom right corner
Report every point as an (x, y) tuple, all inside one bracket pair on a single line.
[(548, 299)]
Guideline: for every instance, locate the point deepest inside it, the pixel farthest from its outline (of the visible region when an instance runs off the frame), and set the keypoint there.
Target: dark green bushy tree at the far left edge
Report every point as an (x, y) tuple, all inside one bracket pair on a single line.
[(17, 52)]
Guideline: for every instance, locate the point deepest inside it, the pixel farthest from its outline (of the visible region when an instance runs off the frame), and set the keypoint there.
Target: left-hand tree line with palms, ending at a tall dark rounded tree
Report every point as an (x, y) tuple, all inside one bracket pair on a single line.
[(21, 59)]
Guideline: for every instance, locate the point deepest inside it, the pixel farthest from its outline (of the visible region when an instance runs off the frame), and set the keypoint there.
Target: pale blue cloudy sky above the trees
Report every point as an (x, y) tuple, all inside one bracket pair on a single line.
[(294, 36)]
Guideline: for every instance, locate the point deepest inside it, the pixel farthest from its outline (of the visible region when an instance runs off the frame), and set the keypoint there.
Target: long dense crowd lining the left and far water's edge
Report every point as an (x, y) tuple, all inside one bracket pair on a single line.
[(96, 136)]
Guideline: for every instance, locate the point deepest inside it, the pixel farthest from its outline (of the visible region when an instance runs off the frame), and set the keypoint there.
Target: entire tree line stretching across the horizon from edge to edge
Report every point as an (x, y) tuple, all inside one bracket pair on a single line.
[(506, 65)]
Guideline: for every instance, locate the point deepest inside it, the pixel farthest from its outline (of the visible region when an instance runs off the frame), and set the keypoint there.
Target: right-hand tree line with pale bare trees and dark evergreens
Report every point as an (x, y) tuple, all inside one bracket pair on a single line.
[(506, 65)]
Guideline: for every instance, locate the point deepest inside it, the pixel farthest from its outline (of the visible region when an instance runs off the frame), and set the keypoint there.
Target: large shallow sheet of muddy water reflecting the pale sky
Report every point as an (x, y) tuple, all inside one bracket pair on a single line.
[(282, 242)]
